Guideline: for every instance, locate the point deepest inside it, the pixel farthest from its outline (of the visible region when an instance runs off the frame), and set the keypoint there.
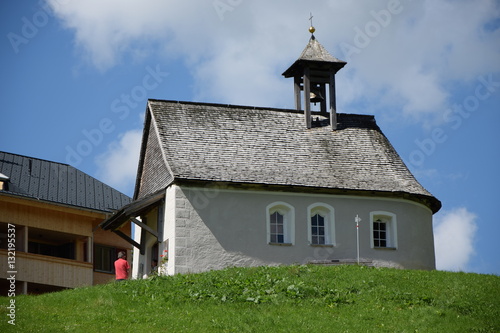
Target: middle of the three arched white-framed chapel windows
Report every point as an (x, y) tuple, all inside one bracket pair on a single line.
[(321, 224)]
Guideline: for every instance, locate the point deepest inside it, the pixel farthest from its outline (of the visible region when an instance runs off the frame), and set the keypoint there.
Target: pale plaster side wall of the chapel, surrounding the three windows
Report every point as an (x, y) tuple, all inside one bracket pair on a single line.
[(212, 229)]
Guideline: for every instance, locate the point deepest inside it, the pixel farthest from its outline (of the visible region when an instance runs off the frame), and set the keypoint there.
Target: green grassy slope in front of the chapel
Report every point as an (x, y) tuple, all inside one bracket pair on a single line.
[(271, 299)]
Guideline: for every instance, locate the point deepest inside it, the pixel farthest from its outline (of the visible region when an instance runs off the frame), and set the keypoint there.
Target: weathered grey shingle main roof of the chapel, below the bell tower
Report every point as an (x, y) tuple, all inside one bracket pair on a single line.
[(249, 145)]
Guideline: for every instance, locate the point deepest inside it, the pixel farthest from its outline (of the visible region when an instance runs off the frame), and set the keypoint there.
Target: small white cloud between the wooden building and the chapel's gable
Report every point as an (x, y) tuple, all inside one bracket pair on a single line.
[(117, 167)]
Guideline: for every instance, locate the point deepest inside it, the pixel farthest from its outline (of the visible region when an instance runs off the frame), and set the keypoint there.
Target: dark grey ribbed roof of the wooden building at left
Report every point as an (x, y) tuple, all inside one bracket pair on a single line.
[(58, 183)]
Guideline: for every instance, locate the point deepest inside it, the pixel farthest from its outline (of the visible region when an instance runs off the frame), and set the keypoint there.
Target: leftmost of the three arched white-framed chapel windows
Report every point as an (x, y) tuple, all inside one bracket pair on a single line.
[(280, 223)]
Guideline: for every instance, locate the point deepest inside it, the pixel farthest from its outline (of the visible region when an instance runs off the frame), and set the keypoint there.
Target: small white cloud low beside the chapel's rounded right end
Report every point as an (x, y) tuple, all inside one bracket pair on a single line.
[(454, 233)]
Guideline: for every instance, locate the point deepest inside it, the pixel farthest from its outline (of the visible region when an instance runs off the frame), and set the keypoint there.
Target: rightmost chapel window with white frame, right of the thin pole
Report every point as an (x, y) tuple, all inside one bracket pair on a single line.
[(383, 230)]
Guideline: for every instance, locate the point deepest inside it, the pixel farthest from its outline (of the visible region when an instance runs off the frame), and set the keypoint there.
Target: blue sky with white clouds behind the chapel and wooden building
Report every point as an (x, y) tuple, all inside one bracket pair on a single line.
[(75, 78)]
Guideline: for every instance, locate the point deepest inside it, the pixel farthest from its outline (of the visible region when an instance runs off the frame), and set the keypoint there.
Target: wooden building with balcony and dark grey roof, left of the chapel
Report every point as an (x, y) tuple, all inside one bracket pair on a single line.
[(49, 235)]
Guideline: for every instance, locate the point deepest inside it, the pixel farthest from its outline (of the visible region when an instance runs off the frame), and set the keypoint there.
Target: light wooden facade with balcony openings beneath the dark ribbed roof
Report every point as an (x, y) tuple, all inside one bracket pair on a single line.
[(54, 245)]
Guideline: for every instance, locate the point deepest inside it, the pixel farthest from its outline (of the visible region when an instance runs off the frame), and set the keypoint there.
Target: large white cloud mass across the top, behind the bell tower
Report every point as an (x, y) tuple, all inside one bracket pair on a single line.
[(407, 61)]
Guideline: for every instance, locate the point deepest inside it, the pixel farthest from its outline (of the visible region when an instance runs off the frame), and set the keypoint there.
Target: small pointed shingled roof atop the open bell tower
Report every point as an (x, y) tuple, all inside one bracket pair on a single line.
[(317, 57)]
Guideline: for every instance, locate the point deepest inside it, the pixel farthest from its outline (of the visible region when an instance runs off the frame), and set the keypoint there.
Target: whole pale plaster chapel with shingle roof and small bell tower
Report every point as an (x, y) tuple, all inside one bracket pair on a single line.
[(227, 185)]
